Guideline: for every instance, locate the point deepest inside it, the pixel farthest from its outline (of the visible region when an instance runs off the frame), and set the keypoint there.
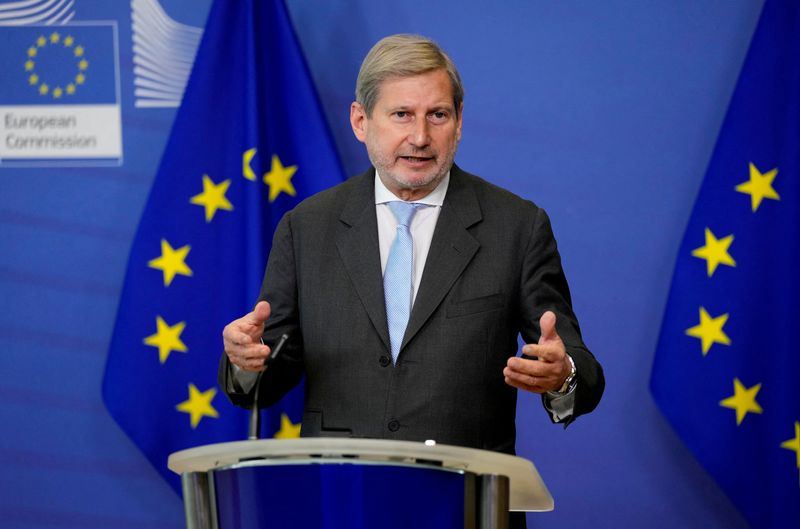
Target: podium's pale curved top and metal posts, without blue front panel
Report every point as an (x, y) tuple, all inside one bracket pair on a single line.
[(502, 482)]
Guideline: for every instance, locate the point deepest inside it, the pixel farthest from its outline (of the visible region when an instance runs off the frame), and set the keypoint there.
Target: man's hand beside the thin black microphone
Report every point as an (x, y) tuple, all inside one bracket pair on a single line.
[(242, 339)]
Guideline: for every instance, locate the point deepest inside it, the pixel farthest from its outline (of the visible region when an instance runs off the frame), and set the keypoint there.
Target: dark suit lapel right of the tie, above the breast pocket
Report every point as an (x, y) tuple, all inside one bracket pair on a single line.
[(452, 248)]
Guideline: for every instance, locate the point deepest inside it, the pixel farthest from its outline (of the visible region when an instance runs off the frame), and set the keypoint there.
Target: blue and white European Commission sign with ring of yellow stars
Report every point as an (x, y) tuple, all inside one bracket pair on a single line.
[(59, 95)]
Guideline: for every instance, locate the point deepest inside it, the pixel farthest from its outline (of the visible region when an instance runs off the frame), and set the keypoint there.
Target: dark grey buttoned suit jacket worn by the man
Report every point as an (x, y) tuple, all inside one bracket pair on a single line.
[(492, 270)]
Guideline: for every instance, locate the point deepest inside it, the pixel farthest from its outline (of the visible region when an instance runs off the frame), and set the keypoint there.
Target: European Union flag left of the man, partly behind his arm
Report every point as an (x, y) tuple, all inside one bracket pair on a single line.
[(248, 143)]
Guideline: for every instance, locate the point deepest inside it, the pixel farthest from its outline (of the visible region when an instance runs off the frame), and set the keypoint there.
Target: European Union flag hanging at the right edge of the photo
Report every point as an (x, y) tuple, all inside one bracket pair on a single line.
[(726, 368)]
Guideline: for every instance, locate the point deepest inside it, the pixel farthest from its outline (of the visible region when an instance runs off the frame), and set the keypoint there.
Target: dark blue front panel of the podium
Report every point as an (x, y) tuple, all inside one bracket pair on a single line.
[(340, 496)]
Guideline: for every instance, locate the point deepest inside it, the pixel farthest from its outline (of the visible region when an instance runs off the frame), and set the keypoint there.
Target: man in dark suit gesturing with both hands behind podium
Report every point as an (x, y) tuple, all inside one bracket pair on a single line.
[(435, 357)]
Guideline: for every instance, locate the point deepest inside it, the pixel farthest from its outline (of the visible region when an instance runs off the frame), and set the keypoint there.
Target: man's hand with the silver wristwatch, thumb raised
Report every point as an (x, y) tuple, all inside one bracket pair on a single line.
[(552, 366)]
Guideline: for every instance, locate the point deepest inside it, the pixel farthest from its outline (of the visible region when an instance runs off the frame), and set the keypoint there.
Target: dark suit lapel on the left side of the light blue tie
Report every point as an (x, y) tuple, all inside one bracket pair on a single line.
[(357, 242)]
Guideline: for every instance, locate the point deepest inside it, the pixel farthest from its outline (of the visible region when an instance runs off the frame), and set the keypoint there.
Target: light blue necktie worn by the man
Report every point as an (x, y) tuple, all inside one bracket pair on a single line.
[(397, 279)]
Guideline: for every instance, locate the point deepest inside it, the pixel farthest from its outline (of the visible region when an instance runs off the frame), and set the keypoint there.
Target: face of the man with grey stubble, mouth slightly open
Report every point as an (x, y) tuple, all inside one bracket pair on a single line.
[(413, 132)]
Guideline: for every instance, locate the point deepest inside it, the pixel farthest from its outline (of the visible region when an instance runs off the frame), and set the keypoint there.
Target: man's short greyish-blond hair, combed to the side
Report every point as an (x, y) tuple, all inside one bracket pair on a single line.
[(403, 55)]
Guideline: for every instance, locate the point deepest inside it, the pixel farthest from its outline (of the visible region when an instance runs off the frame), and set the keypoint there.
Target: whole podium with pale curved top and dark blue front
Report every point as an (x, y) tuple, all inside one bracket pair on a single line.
[(337, 483)]
